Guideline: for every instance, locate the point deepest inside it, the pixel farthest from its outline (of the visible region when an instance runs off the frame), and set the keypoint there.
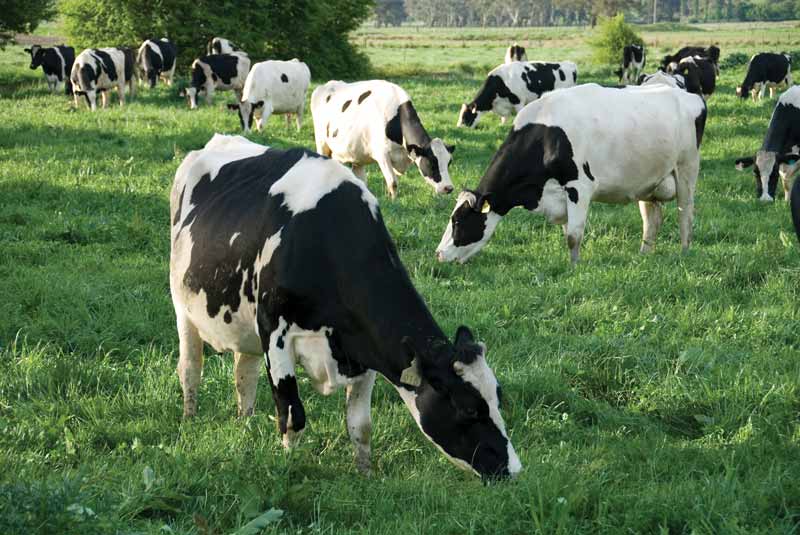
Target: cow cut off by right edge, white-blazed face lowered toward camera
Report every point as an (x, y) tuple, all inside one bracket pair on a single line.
[(779, 154)]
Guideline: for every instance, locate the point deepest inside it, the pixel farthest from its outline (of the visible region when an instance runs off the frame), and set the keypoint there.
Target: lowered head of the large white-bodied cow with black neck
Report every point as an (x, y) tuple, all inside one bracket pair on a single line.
[(471, 225)]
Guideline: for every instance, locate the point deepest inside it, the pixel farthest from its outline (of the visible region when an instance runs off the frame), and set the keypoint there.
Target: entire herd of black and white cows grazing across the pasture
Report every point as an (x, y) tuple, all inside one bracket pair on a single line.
[(284, 253)]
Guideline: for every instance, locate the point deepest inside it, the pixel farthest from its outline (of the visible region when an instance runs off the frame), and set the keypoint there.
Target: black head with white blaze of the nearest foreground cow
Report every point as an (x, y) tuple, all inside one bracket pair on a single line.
[(456, 403)]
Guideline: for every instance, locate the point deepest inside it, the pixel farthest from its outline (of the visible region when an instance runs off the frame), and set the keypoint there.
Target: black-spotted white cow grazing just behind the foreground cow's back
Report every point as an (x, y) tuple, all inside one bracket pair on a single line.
[(375, 121)]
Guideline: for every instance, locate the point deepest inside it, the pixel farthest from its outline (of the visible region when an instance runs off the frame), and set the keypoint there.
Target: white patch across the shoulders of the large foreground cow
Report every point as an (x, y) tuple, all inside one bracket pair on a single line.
[(300, 193)]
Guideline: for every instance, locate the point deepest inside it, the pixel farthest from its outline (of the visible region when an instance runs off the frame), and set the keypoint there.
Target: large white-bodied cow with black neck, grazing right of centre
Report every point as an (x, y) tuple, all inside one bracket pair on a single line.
[(584, 144)]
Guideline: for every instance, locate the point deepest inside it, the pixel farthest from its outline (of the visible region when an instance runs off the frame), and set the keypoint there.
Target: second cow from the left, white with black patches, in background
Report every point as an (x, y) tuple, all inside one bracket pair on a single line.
[(100, 70)]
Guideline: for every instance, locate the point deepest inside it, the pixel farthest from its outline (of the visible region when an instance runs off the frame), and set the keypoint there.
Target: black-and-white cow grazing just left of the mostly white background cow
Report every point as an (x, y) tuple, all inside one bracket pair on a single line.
[(221, 72)]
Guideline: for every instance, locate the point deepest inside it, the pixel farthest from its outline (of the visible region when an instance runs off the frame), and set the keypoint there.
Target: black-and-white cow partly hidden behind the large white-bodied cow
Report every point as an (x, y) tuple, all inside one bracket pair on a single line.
[(508, 88)]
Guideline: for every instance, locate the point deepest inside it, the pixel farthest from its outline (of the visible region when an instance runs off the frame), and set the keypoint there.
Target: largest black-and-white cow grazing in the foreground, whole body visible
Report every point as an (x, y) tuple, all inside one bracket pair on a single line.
[(283, 255)]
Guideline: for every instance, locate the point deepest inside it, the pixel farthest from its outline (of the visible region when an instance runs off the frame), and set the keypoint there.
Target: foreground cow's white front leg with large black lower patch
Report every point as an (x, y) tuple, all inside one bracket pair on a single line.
[(280, 363)]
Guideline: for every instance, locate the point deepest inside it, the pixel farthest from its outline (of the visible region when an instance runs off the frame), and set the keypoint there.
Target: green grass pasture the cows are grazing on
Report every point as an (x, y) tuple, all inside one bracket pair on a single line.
[(652, 393)]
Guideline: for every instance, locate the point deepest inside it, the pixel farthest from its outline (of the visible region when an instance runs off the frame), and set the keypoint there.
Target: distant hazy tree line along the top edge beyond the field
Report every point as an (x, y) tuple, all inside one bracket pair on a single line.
[(577, 12)]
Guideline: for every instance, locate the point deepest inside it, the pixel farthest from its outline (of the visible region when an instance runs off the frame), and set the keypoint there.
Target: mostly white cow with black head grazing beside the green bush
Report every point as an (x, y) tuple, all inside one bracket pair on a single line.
[(273, 87)]
